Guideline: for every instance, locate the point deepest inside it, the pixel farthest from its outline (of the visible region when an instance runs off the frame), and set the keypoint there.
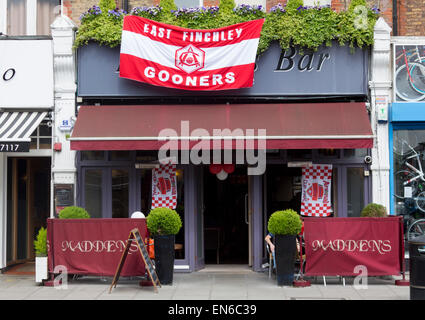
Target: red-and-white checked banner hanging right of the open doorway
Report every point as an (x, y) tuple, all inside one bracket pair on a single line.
[(316, 190)]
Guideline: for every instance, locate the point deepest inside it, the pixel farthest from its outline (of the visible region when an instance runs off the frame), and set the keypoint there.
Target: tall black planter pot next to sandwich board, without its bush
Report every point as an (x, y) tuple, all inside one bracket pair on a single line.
[(164, 258)]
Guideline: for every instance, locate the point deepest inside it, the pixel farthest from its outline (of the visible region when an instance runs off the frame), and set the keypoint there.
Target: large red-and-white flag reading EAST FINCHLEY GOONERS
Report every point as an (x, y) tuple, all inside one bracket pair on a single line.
[(175, 57)]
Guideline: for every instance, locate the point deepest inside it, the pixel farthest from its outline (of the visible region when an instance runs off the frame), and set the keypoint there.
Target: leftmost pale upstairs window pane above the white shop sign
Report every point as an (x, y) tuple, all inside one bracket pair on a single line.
[(16, 17)]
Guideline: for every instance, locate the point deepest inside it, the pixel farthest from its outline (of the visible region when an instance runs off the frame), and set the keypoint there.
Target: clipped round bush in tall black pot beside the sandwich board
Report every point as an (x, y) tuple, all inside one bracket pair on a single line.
[(163, 224)]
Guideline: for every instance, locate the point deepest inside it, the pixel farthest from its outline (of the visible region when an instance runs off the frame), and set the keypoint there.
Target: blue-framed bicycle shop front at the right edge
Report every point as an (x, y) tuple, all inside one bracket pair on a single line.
[(407, 134)]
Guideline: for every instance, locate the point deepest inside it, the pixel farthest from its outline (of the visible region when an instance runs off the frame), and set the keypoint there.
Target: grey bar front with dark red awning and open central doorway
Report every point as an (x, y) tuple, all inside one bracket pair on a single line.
[(239, 154)]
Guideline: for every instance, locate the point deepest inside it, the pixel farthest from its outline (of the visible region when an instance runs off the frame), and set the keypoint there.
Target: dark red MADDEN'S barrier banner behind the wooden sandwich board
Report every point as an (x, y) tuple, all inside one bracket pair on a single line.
[(94, 246)]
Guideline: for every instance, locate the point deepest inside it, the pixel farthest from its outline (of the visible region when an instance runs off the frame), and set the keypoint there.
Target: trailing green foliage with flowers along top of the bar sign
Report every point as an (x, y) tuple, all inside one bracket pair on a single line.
[(291, 25)]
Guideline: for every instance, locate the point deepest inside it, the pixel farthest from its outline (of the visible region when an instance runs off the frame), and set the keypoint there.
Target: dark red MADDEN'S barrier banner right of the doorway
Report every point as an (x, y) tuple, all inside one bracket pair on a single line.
[(339, 246)]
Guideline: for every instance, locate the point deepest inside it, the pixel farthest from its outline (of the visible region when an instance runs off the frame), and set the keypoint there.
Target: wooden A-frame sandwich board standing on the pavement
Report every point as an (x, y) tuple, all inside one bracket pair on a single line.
[(135, 236)]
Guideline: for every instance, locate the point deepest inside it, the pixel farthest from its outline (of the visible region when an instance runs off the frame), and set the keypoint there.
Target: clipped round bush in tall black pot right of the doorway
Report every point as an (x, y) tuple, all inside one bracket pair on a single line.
[(285, 225)]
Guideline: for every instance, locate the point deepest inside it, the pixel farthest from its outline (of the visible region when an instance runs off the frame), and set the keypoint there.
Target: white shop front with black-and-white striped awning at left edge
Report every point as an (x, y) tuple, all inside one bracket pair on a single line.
[(26, 99)]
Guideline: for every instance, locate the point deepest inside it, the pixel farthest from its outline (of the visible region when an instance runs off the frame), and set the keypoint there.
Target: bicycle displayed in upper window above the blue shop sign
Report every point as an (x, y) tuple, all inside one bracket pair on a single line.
[(410, 74)]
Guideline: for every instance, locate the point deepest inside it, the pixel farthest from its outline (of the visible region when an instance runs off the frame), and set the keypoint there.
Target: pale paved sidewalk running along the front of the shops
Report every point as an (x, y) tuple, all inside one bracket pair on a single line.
[(197, 286)]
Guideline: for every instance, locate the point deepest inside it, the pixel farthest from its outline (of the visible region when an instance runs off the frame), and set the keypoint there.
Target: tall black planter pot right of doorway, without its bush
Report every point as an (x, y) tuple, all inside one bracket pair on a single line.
[(285, 250)]
